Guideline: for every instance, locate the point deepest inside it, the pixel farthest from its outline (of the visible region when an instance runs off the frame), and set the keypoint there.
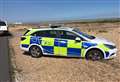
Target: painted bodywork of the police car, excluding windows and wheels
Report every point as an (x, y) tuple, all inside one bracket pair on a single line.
[(66, 47)]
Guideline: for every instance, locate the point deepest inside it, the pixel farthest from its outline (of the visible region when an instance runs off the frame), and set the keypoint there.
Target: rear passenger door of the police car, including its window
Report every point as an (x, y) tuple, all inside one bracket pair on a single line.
[(48, 41)]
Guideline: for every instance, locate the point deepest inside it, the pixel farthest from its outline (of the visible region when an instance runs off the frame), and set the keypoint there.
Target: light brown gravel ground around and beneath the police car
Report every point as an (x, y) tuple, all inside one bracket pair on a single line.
[(55, 69)]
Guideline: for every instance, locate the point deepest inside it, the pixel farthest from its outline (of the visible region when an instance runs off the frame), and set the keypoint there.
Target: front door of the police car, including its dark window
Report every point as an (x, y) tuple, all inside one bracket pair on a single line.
[(68, 45)]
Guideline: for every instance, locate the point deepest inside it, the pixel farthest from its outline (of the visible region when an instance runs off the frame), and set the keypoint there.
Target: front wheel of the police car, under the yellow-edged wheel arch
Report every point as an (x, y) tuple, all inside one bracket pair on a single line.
[(94, 54)]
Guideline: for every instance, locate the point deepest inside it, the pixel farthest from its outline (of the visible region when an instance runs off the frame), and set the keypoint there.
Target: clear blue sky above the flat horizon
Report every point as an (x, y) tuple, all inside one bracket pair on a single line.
[(51, 10)]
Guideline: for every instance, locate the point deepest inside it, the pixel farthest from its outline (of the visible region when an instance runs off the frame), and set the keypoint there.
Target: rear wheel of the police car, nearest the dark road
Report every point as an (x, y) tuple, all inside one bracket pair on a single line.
[(35, 51)]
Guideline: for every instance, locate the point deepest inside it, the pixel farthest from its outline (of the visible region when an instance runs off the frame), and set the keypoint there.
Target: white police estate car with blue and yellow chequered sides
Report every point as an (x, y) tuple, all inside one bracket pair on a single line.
[(66, 41)]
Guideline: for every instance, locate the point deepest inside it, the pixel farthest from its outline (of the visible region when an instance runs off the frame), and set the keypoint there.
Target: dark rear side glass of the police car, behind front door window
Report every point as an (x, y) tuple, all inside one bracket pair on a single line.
[(46, 33)]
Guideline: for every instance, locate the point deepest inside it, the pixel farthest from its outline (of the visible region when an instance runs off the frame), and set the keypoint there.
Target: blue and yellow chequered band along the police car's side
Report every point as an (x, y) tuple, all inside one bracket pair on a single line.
[(61, 47)]
